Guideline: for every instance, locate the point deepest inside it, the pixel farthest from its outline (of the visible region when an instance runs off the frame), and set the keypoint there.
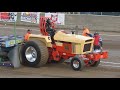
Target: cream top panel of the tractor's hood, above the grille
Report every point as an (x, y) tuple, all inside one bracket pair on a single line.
[(61, 36)]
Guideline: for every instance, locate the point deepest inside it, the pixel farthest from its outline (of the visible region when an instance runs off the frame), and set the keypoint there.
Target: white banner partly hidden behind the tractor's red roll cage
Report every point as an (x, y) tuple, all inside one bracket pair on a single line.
[(57, 18)]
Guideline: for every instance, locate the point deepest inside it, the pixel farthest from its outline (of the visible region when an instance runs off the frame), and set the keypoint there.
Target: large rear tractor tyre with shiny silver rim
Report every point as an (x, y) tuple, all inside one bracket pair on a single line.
[(34, 53)]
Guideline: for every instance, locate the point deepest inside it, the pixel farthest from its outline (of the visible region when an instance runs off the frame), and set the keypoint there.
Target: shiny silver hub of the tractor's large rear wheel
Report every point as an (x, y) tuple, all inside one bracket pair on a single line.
[(31, 54)]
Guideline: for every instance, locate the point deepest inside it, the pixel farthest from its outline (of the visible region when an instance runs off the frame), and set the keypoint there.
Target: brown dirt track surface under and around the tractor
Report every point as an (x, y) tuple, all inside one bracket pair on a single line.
[(109, 68)]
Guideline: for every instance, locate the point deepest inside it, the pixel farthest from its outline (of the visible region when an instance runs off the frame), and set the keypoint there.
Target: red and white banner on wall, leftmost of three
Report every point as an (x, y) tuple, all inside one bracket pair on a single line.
[(8, 16)]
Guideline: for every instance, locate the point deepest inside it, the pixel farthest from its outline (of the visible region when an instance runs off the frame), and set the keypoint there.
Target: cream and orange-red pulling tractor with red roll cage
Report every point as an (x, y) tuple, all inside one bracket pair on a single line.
[(77, 49)]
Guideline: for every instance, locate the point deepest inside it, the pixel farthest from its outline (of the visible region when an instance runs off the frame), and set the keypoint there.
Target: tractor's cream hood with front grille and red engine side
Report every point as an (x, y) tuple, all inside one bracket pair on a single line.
[(74, 44)]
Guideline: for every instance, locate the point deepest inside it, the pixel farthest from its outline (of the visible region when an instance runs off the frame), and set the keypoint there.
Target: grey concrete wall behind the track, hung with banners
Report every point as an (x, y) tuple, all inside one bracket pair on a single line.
[(94, 22)]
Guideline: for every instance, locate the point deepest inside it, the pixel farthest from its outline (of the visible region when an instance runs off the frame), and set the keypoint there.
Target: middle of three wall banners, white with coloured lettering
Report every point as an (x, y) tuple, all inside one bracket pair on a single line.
[(32, 17)]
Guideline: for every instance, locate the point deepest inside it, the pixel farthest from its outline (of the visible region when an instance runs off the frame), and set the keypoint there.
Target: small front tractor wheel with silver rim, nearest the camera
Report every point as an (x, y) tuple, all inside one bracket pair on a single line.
[(77, 64)]
